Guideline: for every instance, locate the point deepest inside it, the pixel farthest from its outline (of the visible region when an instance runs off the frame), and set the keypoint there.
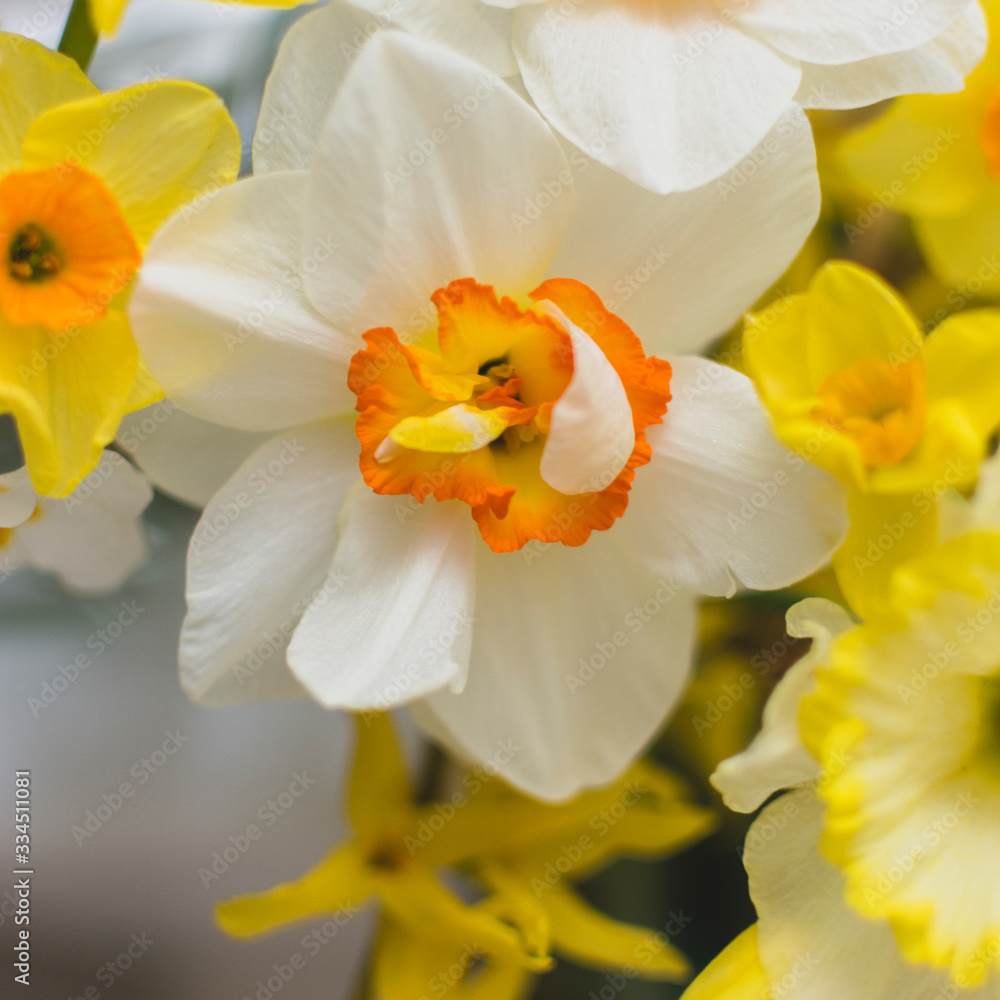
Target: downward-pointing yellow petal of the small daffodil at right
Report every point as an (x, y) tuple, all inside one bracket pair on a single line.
[(884, 532)]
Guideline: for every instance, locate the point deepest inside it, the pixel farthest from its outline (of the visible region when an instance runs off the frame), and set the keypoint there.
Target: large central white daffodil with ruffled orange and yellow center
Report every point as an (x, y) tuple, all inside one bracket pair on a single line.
[(428, 258)]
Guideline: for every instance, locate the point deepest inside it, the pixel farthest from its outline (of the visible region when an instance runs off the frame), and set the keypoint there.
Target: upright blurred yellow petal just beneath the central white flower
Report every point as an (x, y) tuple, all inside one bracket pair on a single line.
[(380, 795)]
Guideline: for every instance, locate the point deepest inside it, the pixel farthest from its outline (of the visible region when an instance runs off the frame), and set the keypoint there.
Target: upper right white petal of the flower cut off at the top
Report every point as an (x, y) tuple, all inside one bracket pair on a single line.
[(844, 31)]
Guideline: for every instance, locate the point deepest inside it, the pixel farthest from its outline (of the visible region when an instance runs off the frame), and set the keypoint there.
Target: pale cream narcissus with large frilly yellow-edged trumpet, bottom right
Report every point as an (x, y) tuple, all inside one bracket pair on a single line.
[(880, 865)]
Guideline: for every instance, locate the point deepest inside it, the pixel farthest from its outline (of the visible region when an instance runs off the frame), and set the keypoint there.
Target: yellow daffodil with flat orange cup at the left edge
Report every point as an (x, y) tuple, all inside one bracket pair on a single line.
[(85, 179)]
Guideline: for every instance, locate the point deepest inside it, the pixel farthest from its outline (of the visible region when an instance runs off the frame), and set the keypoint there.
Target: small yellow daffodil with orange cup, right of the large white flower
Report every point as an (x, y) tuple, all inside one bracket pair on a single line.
[(853, 385)]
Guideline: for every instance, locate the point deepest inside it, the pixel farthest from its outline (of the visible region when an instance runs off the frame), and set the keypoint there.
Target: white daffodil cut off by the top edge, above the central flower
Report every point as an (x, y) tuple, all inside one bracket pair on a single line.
[(674, 94)]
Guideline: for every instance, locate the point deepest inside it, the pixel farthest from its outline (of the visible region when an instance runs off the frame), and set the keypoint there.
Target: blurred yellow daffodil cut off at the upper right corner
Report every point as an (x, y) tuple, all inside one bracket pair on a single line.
[(936, 157)]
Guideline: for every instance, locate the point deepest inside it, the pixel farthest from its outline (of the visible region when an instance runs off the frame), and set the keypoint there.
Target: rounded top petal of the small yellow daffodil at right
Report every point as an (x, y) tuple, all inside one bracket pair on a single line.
[(854, 316)]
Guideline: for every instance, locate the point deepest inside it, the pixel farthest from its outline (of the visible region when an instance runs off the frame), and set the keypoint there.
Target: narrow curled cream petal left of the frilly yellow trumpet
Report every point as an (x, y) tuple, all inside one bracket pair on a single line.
[(777, 758)]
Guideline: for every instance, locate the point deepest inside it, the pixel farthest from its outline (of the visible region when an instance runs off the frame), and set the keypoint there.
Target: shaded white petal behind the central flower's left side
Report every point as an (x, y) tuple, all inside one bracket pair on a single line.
[(188, 458)]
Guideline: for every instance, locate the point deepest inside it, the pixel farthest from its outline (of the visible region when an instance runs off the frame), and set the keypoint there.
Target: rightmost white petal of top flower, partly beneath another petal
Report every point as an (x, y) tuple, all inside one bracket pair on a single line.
[(940, 66)]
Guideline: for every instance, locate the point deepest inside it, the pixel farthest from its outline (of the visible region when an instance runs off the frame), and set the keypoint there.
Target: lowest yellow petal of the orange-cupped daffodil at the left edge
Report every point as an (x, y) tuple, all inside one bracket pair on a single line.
[(67, 391)]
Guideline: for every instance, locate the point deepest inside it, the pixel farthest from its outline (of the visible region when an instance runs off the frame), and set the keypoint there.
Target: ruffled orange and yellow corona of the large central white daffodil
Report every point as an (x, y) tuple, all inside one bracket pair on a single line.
[(466, 418)]
